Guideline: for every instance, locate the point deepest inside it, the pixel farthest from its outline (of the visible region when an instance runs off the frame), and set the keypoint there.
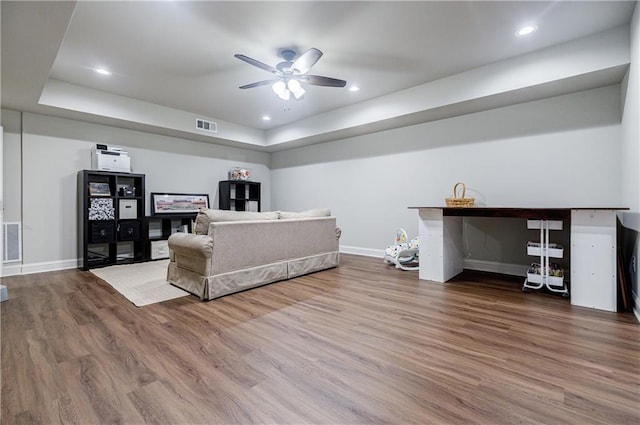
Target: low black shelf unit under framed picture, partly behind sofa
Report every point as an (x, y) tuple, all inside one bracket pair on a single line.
[(159, 227)]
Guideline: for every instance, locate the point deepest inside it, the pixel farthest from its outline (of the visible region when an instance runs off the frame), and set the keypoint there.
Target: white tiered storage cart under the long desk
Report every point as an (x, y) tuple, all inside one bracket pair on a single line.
[(543, 274)]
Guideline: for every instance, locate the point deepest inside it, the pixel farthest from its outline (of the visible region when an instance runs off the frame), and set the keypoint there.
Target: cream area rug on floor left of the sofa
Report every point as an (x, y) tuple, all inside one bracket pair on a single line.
[(141, 283)]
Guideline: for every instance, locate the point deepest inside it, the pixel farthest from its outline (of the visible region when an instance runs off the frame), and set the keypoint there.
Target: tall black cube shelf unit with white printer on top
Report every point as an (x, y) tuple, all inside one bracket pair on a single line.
[(110, 218)]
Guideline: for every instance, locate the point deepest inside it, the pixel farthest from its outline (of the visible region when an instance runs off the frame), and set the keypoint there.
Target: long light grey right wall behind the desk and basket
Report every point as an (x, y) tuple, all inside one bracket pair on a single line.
[(561, 151)]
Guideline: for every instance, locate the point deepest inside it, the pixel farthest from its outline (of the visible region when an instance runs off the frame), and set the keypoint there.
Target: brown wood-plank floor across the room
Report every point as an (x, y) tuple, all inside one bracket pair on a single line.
[(360, 344)]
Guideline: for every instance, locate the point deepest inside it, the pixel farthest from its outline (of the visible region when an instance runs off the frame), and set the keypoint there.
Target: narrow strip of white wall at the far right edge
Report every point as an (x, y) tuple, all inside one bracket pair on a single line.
[(630, 158)]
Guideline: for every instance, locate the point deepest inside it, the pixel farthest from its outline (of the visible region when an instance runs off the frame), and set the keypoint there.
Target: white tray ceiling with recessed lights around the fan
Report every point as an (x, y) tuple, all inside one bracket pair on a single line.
[(178, 55)]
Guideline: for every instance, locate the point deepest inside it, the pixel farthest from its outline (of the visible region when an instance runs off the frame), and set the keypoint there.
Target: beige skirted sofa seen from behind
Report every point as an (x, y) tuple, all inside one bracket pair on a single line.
[(231, 251)]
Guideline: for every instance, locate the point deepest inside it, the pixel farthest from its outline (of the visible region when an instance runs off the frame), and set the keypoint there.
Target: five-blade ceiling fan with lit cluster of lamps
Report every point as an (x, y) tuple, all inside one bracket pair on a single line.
[(290, 74)]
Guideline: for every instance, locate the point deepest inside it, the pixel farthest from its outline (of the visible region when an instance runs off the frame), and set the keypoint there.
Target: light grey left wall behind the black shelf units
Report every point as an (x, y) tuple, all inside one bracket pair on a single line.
[(55, 149)]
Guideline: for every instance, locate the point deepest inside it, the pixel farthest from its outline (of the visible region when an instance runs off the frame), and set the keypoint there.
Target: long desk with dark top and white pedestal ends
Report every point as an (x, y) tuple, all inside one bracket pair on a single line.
[(593, 246)]
